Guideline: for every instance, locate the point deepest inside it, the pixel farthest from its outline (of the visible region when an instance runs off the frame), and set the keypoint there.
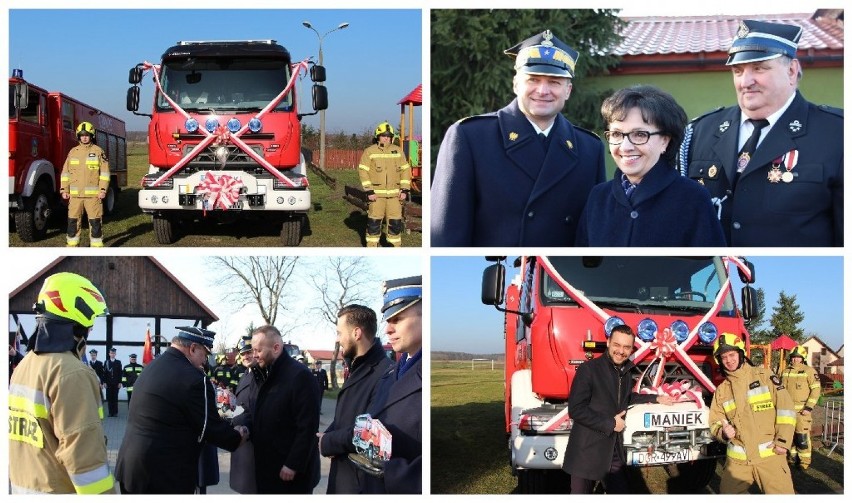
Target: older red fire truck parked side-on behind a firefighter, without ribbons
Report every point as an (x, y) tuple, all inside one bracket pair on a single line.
[(42, 128)]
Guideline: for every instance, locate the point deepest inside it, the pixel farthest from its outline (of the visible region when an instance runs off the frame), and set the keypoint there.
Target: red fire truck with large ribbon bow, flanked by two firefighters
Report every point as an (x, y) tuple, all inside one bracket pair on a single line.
[(224, 139)]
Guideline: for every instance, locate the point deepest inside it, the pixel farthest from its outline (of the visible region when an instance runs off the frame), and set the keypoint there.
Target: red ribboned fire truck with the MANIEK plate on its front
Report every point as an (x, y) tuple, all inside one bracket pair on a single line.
[(559, 313)]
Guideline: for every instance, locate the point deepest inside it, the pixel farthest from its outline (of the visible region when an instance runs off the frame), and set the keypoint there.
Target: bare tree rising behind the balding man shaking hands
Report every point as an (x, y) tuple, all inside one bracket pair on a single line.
[(262, 282)]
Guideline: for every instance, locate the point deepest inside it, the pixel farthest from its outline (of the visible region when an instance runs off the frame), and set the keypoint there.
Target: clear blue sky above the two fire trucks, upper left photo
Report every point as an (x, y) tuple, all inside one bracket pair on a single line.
[(371, 64)]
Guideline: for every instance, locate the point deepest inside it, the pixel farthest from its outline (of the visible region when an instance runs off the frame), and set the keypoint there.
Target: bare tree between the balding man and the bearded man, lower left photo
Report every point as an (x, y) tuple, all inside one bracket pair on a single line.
[(341, 281)]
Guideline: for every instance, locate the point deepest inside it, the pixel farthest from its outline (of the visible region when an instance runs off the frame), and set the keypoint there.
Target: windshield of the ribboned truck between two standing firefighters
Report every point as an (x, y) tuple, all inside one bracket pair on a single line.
[(217, 84)]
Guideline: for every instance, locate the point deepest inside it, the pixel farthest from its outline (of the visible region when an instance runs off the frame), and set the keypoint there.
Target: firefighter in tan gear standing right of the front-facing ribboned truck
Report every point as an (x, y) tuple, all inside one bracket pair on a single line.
[(386, 178)]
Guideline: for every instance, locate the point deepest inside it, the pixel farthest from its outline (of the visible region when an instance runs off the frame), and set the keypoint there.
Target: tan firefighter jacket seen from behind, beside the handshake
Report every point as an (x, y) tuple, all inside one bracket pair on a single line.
[(56, 439)]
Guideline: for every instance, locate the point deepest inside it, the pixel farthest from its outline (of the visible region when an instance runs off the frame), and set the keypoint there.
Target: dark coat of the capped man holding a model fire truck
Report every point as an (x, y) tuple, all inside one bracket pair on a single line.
[(397, 404)]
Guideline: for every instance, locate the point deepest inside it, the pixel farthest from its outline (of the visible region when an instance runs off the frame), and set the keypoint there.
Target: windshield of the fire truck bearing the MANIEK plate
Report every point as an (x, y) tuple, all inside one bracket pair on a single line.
[(641, 284)]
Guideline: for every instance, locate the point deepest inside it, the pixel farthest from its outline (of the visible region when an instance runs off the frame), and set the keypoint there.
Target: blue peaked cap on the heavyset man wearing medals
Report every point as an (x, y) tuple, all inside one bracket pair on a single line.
[(760, 41)]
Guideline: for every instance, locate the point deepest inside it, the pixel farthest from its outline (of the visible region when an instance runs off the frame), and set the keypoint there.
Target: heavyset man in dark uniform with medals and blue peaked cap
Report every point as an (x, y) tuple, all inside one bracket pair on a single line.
[(774, 163)]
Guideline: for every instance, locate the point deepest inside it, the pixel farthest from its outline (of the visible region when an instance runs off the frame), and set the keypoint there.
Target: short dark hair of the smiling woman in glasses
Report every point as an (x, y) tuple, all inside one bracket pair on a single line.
[(656, 106)]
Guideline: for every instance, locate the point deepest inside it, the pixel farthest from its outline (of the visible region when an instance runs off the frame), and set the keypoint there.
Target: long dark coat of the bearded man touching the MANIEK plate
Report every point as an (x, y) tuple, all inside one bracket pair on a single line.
[(599, 392)]
